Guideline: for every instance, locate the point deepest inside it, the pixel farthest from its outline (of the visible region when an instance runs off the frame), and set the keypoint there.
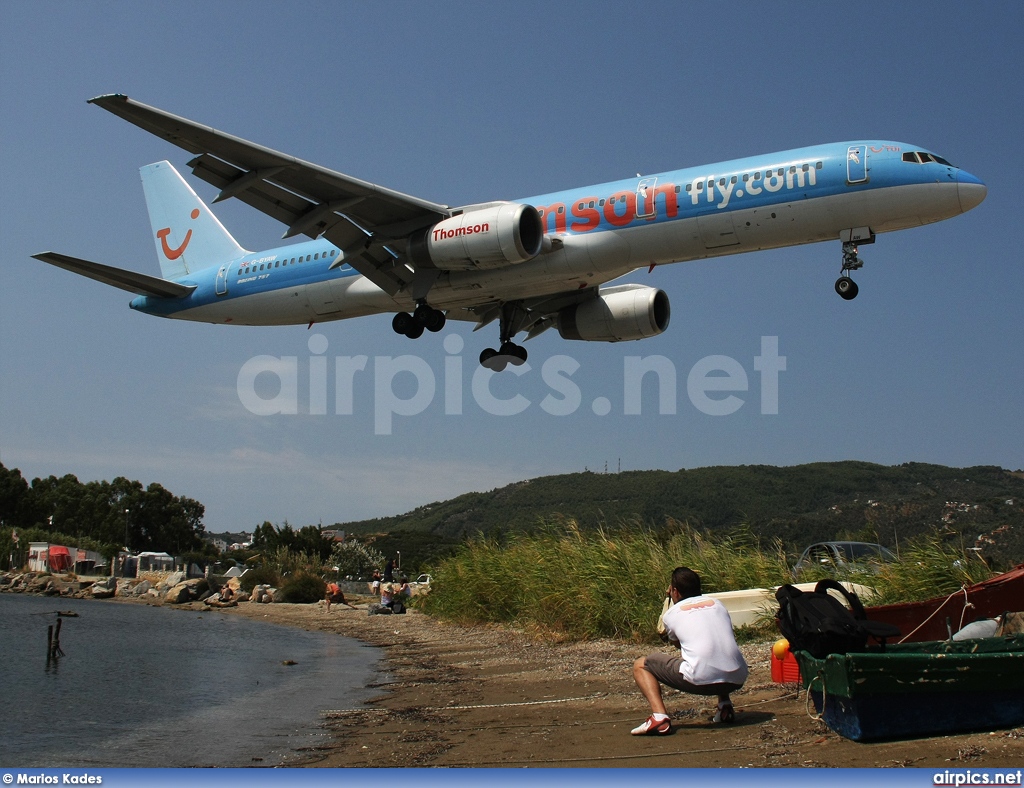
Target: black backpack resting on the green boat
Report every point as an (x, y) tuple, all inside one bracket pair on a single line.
[(821, 625)]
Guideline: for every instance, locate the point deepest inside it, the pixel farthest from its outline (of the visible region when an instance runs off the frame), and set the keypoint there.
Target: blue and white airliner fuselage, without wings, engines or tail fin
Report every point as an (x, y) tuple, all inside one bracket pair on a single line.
[(795, 197)]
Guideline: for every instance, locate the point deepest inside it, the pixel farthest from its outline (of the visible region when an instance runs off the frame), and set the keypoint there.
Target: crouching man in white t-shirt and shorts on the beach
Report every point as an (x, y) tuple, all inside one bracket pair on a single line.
[(710, 663)]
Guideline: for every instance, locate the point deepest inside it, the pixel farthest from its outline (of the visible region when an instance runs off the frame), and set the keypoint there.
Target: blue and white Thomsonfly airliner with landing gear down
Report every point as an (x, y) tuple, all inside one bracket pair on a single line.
[(531, 265)]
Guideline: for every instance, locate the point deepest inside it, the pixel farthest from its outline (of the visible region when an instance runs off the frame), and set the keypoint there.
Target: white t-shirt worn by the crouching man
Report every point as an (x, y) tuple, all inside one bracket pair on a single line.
[(709, 650)]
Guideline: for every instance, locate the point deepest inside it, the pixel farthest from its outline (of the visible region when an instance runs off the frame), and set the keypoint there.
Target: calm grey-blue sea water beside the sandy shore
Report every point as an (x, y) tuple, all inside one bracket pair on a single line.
[(142, 686)]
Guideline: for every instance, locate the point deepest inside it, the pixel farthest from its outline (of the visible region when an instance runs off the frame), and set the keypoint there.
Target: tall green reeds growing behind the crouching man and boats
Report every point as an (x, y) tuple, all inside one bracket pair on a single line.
[(606, 583)]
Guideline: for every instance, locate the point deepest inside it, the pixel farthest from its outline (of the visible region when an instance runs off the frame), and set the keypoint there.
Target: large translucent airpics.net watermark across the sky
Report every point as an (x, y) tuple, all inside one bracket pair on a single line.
[(713, 384)]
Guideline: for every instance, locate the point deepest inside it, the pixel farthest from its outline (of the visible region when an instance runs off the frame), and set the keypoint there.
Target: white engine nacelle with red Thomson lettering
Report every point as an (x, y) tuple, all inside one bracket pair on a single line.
[(488, 237)]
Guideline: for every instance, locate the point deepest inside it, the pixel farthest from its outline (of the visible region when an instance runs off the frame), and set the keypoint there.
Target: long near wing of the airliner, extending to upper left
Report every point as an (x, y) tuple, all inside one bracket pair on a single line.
[(368, 223)]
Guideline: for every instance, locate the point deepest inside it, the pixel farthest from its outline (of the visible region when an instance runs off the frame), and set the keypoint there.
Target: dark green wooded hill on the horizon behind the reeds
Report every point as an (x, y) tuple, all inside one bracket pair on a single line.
[(982, 507)]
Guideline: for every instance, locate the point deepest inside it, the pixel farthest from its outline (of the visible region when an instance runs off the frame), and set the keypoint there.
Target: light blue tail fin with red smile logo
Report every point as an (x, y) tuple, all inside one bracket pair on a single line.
[(189, 237)]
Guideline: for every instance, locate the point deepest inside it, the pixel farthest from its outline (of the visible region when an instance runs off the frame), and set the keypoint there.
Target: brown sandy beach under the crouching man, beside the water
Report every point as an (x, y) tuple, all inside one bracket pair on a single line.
[(488, 696)]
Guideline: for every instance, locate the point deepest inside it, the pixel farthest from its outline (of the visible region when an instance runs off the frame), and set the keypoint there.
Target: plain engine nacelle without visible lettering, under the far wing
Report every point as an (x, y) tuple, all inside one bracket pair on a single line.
[(624, 313)]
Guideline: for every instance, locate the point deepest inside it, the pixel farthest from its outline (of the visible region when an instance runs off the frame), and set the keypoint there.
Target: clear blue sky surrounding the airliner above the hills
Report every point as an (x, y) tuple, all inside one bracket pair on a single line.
[(464, 103)]
